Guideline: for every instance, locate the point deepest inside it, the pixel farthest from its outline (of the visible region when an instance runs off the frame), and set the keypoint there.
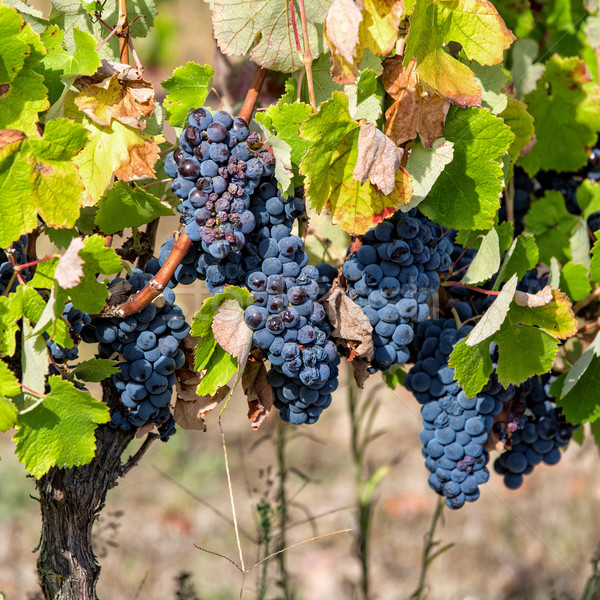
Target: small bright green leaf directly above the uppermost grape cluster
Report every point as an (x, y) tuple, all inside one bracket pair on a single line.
[(187, 88)]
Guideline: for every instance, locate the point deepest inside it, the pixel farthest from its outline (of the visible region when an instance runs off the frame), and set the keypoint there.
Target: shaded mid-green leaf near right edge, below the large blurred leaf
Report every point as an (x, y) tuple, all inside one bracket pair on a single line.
[(552, 225)]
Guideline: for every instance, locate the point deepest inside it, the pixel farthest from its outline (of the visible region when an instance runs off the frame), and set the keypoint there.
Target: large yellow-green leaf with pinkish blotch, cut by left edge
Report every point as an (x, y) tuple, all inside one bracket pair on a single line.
[(40, 177)]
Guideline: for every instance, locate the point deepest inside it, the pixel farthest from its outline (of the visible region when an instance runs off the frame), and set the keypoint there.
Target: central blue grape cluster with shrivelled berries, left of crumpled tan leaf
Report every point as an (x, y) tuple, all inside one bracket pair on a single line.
[(291, 327)]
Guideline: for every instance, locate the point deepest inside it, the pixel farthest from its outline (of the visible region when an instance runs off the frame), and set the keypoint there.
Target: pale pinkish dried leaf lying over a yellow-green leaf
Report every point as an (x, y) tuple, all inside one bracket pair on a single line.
[(378, 159)]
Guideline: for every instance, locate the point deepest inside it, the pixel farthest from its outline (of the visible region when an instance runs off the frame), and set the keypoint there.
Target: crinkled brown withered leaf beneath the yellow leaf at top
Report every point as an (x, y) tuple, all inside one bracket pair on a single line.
[(415, 111)]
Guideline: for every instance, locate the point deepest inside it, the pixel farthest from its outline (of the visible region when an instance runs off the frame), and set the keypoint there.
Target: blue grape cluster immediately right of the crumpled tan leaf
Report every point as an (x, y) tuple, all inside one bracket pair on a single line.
[(392, 278)]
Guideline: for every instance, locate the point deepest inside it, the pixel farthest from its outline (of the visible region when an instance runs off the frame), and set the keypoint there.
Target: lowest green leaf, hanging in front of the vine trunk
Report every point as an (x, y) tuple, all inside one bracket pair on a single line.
[(60, 431)]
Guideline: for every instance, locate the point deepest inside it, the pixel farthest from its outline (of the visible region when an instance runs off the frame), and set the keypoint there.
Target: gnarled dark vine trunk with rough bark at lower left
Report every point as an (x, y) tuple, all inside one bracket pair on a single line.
[(71, 500)]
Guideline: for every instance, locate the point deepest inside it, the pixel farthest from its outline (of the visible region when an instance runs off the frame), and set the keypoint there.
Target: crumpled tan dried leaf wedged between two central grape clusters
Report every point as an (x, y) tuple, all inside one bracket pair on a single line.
[(349, 323)]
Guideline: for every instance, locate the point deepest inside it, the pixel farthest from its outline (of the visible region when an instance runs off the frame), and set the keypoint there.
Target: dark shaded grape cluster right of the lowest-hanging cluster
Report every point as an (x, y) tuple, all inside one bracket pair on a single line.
[(541, 433)]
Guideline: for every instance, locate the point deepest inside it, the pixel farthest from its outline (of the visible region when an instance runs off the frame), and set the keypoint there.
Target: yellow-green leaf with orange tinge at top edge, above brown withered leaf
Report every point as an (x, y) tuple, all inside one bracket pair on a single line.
[(463, 21)]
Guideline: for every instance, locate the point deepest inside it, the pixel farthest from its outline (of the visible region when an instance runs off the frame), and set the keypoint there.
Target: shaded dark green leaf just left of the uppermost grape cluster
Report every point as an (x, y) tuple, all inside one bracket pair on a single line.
[(128, 206)]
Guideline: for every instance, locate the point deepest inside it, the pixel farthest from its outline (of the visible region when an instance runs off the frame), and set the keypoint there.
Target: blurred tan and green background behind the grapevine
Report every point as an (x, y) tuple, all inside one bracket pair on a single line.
[(166, 523)]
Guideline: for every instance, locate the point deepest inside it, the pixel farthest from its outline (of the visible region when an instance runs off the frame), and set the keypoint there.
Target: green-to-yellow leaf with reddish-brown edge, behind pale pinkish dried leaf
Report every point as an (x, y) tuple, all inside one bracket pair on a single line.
[(328, 166)]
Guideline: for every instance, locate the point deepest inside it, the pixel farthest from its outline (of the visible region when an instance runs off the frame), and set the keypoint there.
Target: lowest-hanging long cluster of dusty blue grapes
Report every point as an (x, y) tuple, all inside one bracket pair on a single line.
[(455, 427)]
